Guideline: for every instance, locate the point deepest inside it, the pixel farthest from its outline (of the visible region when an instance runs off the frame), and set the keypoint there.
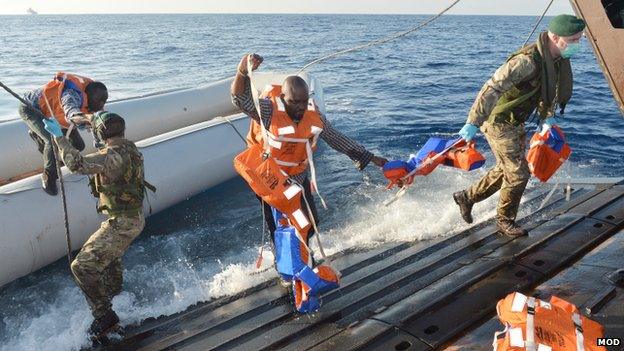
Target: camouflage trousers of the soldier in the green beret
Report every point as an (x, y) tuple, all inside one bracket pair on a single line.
[(511, 172)]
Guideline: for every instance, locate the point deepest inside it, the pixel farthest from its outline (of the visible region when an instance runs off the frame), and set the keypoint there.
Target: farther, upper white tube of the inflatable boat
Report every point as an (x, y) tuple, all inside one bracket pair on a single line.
[(145, 117)]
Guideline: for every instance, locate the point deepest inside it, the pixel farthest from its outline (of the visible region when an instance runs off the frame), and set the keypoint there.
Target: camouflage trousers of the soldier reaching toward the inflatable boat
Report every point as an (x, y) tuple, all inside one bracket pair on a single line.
[(97, 267)]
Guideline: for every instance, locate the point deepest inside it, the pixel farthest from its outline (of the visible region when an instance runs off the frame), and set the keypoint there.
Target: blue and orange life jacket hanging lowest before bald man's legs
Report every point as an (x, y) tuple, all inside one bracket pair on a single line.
[(293, 261)]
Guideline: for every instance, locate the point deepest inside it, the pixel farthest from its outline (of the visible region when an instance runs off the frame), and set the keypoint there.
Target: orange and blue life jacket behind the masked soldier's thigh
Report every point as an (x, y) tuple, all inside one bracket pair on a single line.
[(547, 152)]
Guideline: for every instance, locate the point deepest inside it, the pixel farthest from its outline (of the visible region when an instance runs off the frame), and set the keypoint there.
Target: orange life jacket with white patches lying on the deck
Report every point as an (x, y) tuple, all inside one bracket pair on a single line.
[(536, 325)]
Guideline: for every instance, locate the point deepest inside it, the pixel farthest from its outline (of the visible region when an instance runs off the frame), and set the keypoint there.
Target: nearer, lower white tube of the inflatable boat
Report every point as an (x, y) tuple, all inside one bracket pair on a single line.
[(181, 164)]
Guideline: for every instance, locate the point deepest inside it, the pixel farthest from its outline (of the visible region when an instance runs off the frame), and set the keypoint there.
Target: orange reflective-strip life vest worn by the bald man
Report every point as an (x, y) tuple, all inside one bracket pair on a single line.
[(287, 139)]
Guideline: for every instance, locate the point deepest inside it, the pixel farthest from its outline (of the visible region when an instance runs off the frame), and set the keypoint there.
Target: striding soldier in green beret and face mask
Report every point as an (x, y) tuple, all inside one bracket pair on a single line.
[(538, 76)]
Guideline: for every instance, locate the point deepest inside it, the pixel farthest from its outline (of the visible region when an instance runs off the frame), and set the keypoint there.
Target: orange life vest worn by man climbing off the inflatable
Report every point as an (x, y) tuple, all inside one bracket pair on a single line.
[(50, 100)]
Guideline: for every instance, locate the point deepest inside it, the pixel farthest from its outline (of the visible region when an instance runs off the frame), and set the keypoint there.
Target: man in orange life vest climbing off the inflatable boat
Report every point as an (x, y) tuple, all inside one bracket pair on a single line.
[(68, 98)]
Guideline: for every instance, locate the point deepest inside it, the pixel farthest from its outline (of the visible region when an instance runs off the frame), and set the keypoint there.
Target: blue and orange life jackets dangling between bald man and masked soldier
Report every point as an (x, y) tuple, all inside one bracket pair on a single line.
[(435, 152)]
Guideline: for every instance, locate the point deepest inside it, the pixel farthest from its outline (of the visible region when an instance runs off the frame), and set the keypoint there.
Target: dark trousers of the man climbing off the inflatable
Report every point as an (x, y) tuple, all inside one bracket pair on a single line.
[(35, 123)]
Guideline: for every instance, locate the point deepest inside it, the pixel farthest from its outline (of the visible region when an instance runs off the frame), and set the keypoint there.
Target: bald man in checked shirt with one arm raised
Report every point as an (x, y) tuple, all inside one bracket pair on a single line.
[(294, 101)]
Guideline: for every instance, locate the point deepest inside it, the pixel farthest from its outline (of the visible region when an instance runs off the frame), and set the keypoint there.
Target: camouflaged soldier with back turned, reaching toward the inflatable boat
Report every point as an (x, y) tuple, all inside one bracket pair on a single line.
[(118, 181)]
